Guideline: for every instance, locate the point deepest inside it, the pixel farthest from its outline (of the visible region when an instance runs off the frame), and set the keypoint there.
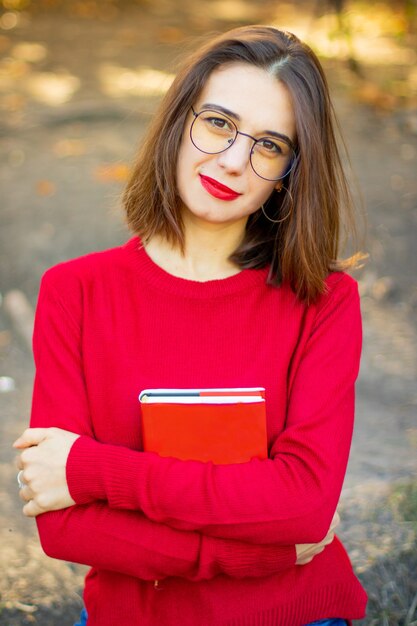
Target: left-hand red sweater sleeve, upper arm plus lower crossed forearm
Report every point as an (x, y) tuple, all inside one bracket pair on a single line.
[(94, 534)]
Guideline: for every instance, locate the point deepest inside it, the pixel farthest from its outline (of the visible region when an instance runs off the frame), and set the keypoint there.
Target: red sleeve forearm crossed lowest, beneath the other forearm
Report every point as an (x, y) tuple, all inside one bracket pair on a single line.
[(128, 543)]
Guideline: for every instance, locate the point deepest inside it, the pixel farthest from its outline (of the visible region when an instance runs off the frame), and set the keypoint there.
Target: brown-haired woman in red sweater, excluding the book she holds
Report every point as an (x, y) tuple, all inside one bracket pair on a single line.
[(231, 280)]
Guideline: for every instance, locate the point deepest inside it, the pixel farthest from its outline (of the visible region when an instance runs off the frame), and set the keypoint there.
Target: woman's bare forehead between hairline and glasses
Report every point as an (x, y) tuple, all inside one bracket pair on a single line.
[(260, 100)]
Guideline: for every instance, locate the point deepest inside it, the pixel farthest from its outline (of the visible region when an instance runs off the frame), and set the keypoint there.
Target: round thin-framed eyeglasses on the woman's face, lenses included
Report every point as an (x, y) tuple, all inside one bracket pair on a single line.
[(271, 158)]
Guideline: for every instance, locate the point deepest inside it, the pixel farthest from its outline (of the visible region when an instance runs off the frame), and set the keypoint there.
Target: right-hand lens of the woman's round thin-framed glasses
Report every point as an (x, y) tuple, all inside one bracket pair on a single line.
[(272, 158)]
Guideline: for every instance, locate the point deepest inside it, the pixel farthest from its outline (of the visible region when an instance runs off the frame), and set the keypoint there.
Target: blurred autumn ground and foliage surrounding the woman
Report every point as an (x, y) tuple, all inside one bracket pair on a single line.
[(79, 80)]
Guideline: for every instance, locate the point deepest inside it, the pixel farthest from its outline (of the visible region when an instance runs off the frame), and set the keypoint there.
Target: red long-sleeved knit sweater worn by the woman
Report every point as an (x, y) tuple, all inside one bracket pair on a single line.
[(220, 539)]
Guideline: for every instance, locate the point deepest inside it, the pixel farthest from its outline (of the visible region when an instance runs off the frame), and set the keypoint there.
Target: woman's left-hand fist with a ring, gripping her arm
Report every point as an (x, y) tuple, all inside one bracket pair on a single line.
[(43, 461)]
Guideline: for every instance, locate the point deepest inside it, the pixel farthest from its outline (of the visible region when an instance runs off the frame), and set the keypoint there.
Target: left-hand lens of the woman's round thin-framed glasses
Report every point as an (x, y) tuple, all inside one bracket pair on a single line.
[(212, 132)]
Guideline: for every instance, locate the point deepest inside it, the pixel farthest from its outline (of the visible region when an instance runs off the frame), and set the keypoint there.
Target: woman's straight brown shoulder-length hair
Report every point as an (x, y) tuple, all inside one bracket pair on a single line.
[(302, 247)]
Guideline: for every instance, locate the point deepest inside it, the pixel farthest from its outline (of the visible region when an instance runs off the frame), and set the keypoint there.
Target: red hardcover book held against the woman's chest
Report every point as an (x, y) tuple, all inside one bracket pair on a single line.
[(222, 425)]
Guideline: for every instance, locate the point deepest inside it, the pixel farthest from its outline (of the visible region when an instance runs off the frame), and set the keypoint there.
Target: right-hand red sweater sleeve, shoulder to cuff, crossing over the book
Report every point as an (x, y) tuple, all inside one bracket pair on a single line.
[(293, 494)]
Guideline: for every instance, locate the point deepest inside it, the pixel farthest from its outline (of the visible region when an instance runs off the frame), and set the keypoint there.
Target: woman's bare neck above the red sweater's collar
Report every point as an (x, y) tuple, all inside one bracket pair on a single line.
[(206, 253)]
